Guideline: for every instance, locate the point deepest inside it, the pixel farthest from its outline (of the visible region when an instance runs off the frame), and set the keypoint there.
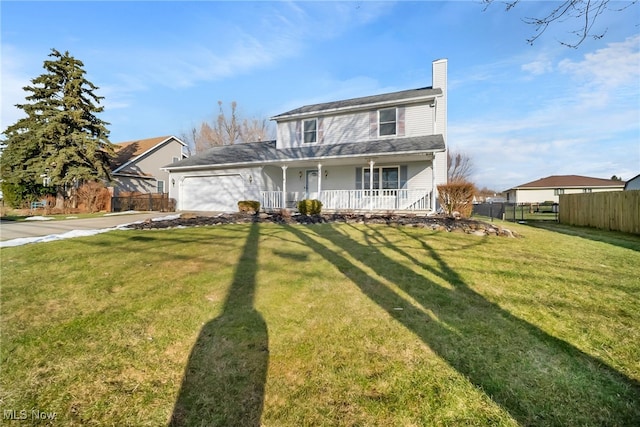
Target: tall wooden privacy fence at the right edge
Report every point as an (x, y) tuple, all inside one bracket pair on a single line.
[(611, 210)]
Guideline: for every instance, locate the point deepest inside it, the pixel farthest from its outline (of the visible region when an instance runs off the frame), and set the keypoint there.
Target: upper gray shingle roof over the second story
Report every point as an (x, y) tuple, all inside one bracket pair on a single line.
[(363, 101)]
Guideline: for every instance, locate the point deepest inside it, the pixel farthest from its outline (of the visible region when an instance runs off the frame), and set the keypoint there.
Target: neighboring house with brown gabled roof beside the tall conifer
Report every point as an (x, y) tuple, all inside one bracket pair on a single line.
[(137, 165)]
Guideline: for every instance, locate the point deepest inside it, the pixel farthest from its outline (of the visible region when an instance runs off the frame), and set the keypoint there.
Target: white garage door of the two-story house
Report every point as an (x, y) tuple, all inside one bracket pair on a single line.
[(212, 193)]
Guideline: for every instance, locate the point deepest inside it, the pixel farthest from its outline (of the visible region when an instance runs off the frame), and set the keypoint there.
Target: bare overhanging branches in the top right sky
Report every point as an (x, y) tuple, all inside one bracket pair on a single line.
[(584, 13)]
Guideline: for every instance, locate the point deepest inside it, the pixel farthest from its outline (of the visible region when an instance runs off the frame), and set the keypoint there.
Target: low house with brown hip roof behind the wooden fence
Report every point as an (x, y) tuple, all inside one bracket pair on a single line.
[(550, 188)]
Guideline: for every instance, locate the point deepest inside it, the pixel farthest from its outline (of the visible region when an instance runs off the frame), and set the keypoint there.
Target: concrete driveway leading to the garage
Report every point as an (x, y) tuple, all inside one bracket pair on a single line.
[(10, 230)]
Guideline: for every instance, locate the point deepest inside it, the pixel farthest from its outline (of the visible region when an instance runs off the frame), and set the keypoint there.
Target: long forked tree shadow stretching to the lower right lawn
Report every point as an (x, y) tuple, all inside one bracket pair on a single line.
[(537, 378)]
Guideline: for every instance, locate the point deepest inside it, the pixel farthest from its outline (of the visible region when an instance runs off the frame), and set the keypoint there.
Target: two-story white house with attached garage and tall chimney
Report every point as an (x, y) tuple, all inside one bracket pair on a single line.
[(382, 152)]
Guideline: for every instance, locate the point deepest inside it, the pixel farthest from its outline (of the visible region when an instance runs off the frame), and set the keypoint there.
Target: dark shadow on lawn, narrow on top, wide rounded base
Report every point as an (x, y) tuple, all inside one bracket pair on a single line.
[(225, 377)]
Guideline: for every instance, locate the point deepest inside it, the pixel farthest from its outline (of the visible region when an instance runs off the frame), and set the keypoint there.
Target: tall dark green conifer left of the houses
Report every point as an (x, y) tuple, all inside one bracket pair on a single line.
[(61, 142)]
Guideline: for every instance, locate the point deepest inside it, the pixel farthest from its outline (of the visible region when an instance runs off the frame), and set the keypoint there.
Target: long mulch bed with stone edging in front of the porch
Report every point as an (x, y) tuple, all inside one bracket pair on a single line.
[(437, 222)]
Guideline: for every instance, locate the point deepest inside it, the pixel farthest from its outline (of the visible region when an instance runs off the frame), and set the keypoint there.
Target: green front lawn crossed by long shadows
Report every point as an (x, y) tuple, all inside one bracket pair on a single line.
[(324, 325)]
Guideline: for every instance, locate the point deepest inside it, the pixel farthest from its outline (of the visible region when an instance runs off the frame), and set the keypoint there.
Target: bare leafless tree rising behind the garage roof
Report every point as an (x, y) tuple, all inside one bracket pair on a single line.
[(228, 130)]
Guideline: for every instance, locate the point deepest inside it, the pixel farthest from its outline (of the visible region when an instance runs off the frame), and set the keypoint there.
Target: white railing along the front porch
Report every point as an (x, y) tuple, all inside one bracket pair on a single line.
[(357, 200)]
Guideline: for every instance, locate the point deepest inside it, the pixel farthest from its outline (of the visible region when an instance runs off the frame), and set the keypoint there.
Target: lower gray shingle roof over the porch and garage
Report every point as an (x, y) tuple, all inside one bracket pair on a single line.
[(262, 153)]
